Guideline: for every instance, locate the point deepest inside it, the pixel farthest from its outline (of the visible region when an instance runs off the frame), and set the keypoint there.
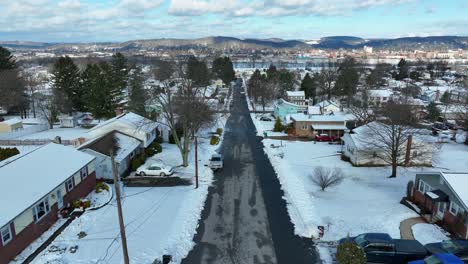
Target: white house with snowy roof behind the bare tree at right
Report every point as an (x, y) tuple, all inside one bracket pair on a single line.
[(364, 148)]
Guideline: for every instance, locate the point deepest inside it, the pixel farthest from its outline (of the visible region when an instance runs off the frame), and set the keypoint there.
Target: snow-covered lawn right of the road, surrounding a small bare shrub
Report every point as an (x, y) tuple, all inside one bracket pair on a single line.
[(366, 201)]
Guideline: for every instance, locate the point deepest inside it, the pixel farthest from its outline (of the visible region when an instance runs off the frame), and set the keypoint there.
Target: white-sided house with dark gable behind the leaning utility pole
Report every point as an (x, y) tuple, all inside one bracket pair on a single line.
[(122, 146)]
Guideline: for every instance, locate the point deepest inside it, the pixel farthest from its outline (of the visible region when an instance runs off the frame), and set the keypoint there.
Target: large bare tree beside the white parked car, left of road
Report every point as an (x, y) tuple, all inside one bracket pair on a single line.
[(184, 108)]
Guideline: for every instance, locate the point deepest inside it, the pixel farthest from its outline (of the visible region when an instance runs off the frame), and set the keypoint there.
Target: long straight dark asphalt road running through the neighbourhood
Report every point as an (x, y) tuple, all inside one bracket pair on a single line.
[(245, 219)]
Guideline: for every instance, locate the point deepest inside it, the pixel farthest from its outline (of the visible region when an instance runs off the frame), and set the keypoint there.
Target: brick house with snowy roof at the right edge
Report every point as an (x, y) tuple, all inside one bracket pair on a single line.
[(443, 198)]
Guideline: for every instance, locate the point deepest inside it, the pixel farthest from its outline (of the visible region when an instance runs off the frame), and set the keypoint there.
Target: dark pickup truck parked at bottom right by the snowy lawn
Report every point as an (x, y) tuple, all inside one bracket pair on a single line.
[(382, 248)]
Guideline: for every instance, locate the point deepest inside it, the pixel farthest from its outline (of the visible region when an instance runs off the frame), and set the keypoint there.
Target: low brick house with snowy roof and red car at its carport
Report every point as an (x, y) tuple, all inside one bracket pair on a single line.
[(312, 125)]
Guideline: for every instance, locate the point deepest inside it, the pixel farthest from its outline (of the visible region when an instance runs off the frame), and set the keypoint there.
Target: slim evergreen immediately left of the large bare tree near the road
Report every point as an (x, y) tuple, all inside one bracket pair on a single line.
[(136, 92)]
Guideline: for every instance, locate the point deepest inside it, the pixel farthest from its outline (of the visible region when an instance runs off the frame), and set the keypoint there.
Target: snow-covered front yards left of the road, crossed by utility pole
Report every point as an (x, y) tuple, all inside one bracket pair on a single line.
[(158, 220)]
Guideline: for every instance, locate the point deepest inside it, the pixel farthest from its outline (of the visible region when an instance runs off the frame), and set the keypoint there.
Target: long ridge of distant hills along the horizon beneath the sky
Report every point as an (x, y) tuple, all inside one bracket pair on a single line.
[(221, 42)]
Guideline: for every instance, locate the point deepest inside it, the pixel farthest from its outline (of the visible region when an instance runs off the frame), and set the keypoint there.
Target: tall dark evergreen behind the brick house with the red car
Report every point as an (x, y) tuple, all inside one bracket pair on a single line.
[(348, 79)]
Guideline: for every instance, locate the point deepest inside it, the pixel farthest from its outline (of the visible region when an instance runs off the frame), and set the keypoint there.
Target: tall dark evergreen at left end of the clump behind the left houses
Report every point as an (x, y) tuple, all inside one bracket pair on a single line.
[(67, 86)]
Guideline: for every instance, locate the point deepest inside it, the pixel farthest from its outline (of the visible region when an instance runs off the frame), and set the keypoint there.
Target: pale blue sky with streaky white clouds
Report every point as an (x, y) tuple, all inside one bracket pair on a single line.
[(123, 20)]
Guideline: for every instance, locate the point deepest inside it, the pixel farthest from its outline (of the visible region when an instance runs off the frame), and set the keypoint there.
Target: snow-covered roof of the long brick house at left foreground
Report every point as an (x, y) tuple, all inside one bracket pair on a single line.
[(28, 178)]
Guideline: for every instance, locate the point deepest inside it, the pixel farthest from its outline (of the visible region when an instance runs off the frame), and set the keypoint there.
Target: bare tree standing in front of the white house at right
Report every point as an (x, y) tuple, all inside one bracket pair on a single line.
[(388, 139)]
